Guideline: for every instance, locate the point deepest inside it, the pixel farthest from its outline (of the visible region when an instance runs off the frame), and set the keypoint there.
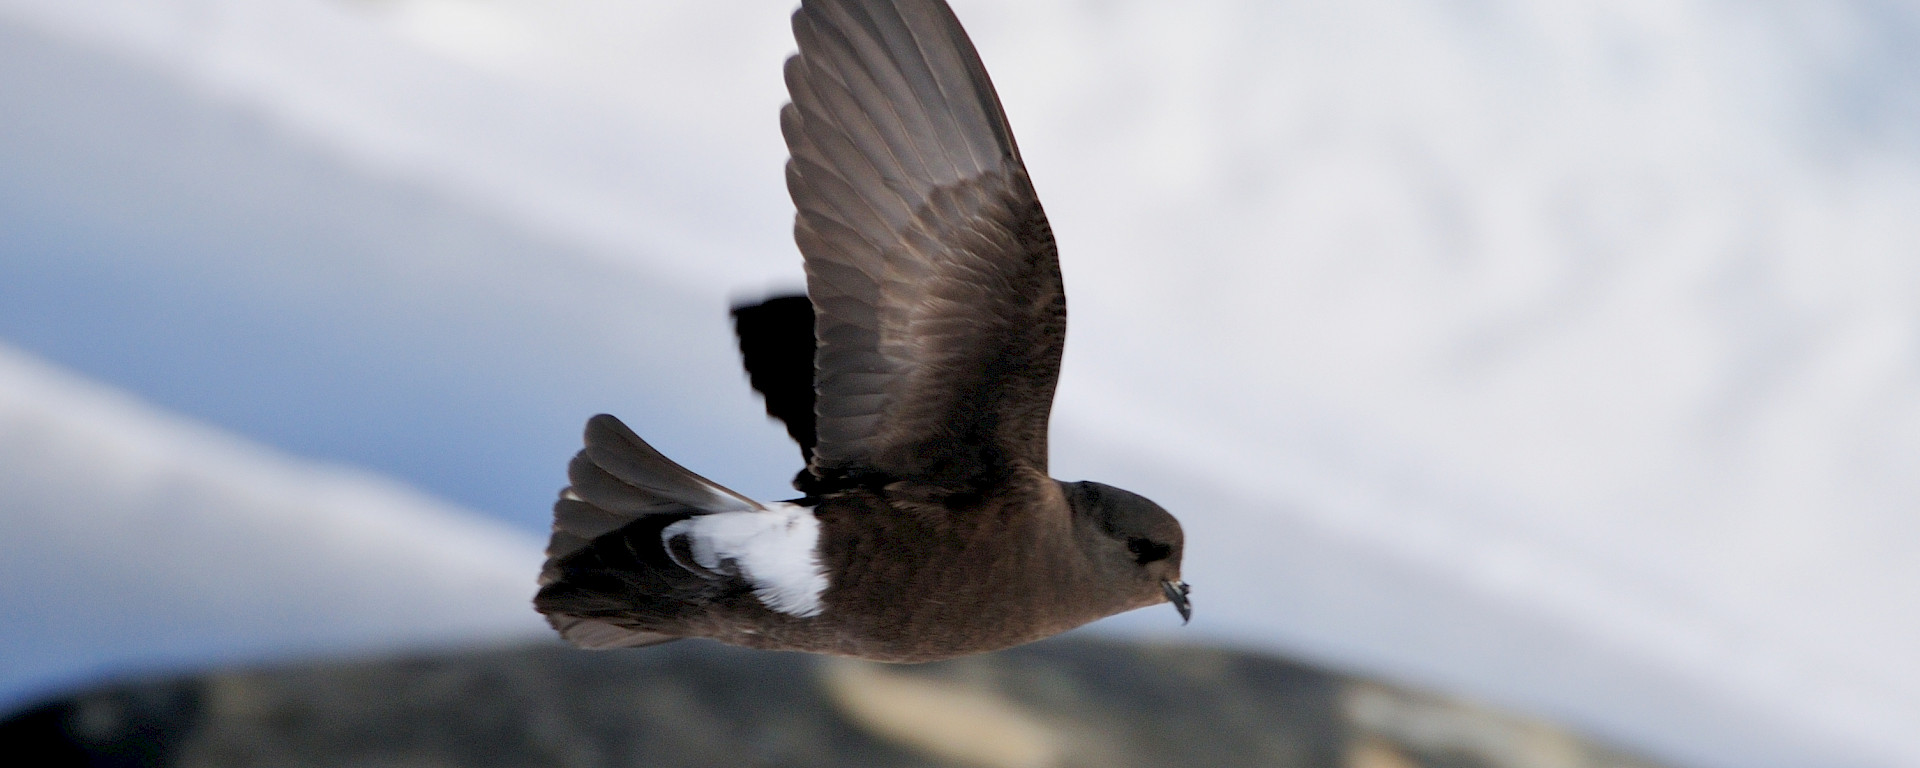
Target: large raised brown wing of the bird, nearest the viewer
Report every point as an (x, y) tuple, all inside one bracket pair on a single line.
[(934, 276)]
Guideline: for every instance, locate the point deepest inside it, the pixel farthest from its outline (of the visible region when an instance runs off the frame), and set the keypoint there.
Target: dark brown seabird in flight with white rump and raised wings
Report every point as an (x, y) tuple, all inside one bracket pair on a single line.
[(917, 375)]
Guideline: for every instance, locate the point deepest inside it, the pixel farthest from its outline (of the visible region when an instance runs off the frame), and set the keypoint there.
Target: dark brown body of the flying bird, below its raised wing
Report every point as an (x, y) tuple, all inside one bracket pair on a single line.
[(919, 581)]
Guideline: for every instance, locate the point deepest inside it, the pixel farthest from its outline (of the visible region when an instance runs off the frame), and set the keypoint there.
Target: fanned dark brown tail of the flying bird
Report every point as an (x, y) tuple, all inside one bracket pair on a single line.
[(608, 573)]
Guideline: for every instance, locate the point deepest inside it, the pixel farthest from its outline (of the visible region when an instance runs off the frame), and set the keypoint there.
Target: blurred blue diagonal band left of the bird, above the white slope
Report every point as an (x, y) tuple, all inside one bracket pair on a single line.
[(191, 252)]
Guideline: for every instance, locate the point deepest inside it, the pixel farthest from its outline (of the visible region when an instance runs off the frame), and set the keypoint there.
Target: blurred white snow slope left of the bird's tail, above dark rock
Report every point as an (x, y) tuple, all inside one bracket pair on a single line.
[(135, 540)]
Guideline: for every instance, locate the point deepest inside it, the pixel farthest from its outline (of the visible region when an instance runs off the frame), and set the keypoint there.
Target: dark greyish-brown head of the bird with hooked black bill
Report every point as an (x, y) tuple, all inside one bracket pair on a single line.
[(1134, 540)]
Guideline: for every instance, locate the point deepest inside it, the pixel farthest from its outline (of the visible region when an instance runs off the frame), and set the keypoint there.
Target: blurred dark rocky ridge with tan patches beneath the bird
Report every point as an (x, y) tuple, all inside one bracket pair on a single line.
[(1059, 704)]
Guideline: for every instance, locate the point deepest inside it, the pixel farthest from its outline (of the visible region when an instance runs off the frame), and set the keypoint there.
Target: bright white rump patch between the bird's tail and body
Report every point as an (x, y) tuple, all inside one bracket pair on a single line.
[(777, 550)]
